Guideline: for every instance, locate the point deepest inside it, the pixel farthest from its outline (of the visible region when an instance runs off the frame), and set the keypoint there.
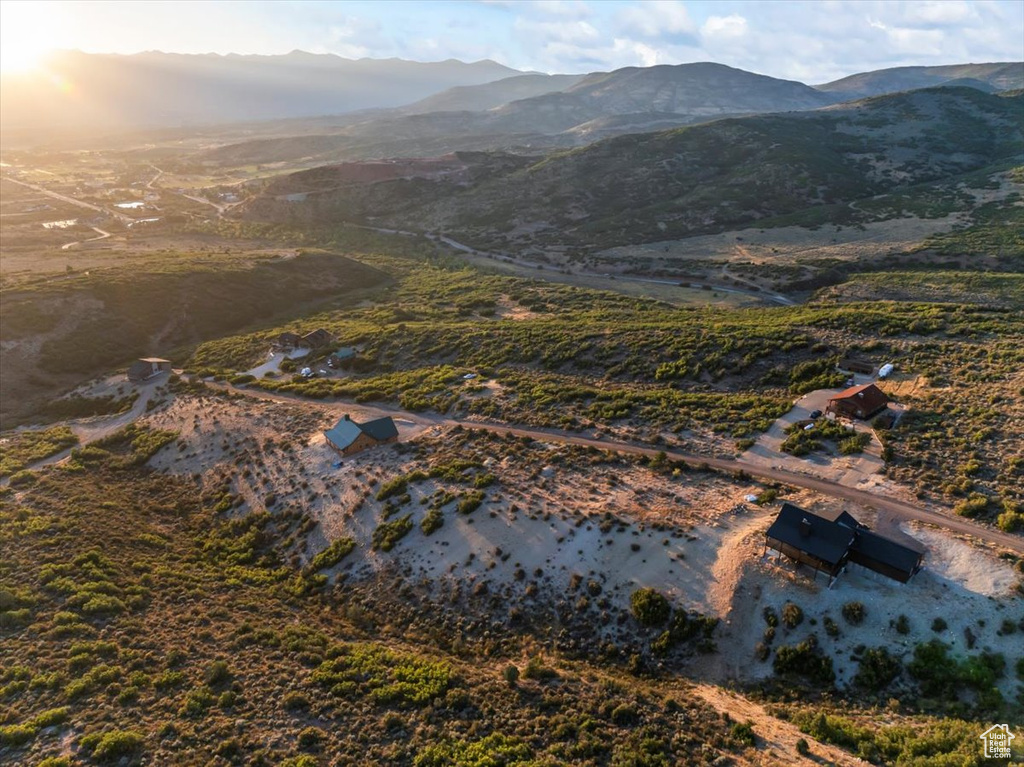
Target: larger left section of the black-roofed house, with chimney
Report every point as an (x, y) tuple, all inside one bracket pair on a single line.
[(810, 540)]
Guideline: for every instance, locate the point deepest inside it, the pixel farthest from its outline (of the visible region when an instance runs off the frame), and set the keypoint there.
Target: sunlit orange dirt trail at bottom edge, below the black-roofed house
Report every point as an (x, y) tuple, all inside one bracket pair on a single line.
[(779, 738)]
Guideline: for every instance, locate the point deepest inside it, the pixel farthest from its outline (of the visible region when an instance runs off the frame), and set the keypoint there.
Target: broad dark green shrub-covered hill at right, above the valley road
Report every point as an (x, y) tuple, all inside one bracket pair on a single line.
[(697, 180)]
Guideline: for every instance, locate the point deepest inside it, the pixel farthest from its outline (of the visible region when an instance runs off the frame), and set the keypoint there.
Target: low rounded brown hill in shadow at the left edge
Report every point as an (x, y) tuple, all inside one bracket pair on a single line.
[(60, 332)]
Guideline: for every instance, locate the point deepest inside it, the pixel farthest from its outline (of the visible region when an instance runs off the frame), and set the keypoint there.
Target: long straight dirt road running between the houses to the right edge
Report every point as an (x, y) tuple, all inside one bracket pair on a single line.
[(892, 507)]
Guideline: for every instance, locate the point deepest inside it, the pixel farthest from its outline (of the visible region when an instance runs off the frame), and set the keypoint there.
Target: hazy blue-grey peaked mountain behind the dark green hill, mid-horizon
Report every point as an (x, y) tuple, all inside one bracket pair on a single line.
[(596, 106)]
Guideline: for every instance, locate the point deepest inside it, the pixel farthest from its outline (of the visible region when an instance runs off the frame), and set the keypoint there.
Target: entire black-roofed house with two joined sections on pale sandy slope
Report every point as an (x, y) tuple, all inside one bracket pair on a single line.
[(830, 545)]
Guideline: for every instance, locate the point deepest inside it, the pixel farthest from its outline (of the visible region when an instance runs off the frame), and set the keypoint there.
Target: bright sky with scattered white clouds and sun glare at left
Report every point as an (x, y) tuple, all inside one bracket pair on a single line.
[(813, 41)]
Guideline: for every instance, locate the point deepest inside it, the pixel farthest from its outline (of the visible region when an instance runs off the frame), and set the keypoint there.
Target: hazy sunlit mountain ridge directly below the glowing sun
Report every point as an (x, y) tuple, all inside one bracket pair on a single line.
[(169, 90)]
